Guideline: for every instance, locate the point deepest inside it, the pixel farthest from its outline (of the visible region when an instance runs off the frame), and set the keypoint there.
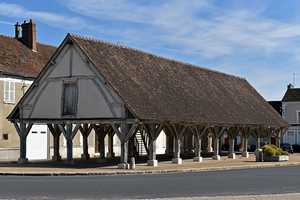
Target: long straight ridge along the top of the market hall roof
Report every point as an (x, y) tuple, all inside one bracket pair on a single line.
[(93, 39)]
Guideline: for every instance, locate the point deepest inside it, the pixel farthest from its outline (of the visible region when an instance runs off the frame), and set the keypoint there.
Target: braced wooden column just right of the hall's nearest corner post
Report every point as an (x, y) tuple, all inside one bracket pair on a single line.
[(153, 130)]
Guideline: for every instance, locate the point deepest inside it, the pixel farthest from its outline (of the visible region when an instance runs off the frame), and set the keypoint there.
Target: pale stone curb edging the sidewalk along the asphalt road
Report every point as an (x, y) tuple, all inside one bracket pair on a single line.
[(143, 172)]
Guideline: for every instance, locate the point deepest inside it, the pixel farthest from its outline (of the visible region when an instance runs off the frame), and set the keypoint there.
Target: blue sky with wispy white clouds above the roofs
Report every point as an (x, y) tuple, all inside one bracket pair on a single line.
[(258, 39)]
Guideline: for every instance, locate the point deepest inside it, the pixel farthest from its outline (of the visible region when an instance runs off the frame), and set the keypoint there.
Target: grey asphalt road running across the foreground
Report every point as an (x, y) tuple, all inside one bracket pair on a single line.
[(235, 182)]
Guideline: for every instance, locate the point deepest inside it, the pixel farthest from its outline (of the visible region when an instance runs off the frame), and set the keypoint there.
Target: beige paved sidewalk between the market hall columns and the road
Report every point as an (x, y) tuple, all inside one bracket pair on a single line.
[(96, 168)]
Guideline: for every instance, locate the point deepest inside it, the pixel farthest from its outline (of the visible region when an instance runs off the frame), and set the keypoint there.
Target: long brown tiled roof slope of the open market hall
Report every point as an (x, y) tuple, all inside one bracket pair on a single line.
[(156, 88)]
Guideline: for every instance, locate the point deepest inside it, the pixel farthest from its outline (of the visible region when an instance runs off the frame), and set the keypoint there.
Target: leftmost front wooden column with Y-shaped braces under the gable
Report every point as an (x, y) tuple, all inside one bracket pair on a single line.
[(22, 130)]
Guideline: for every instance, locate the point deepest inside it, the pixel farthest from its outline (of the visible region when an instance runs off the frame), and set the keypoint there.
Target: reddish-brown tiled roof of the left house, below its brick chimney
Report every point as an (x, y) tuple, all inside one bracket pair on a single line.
[(16, 59)]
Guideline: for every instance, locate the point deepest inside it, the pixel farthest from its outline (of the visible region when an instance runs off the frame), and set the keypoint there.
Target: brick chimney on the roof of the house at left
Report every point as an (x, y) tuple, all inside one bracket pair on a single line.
[(26, 33)]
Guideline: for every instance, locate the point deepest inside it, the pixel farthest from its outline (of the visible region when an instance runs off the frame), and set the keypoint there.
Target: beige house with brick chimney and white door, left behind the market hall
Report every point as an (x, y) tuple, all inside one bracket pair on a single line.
[(21, 59)]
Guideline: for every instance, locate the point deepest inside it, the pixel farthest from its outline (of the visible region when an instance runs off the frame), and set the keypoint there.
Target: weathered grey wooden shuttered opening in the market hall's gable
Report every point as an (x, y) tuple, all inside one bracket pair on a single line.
[(70, 99)]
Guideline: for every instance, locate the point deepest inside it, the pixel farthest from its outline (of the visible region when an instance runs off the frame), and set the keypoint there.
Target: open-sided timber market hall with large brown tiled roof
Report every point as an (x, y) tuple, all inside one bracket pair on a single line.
[(90, 85)]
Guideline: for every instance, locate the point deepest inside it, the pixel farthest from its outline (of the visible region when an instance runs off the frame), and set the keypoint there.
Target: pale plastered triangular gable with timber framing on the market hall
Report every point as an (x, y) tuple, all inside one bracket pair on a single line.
[(70, 80)]
